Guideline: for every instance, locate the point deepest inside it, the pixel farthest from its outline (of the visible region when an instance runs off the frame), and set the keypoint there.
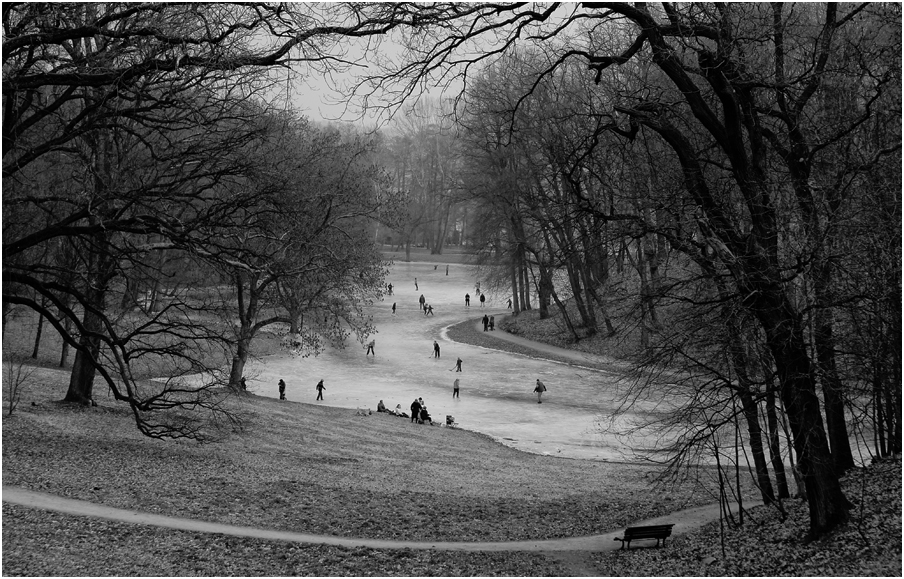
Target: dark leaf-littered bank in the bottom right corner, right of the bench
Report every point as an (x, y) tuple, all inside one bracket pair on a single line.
[(868, 545)]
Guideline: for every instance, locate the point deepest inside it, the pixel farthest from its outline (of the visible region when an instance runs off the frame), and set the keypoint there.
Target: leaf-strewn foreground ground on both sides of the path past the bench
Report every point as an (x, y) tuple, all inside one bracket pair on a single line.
[(325, 470)]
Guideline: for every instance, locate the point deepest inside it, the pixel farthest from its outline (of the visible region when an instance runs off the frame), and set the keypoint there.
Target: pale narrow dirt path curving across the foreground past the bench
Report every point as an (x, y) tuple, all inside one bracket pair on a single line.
[(684, 521)]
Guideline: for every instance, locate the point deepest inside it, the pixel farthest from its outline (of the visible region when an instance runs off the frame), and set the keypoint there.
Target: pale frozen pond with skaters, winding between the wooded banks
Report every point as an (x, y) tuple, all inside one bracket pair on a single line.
[(496, 387)]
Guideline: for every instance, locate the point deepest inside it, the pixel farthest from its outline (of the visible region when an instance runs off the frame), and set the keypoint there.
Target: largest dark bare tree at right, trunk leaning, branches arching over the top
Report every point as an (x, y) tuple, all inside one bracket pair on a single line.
[(727, 89)]
